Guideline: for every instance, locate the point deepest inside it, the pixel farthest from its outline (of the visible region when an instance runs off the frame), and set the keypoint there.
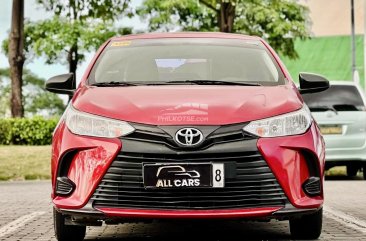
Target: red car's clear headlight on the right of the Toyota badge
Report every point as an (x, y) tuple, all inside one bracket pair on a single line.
[(293, 123)]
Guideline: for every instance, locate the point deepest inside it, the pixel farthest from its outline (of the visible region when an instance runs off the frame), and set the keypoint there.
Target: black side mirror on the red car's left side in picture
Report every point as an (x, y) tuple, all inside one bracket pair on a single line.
[(62, 84)]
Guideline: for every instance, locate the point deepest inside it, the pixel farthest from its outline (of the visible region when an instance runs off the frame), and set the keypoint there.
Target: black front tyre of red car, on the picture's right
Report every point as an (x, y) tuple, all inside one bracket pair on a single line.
[(308, 226)]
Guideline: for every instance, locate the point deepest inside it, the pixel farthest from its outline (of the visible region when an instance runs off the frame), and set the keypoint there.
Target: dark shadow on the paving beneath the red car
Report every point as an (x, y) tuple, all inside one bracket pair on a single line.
[(196, 231)]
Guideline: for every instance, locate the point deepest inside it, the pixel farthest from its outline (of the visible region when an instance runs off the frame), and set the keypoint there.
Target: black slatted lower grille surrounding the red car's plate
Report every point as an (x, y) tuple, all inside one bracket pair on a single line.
[(252, 184)]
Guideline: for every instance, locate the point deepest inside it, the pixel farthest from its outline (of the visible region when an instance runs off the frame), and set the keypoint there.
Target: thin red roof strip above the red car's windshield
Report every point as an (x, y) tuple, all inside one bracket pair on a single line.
[(186, 35)]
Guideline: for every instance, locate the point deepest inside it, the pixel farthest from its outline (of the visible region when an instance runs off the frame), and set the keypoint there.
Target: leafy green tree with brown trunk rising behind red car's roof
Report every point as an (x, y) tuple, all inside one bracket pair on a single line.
[(279, 22)]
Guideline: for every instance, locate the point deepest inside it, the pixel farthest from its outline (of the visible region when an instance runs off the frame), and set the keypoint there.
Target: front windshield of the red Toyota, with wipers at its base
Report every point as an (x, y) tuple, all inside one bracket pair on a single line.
[(186, 61)]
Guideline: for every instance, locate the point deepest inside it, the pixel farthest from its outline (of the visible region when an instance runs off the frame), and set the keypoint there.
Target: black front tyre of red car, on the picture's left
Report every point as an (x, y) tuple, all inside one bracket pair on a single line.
[(66, 232)]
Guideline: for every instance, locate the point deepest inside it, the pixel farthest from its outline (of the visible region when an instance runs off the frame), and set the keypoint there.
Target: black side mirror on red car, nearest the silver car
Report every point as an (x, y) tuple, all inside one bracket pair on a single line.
[(312, 83)]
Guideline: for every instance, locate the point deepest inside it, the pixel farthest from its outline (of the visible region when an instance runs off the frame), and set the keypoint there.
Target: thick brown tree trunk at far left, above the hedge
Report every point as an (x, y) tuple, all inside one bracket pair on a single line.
[(16, 58)]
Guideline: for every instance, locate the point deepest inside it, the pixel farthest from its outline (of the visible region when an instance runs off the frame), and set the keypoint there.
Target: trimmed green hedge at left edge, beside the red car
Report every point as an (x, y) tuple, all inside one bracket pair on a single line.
[(27, 131)]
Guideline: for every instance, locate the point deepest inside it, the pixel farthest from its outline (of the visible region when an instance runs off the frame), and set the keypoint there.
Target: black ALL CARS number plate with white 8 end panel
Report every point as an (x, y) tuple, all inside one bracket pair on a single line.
[(183, 175)]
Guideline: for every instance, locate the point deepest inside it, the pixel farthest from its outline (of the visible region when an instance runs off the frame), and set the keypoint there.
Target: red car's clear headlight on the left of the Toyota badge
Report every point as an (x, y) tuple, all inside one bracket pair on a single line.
[(85, 124)]
